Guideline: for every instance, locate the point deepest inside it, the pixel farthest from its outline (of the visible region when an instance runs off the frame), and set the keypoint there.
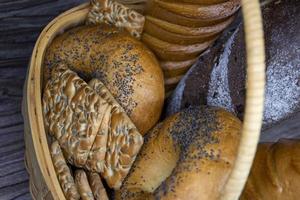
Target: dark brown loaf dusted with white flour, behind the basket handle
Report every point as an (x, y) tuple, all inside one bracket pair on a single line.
[(219, 77)]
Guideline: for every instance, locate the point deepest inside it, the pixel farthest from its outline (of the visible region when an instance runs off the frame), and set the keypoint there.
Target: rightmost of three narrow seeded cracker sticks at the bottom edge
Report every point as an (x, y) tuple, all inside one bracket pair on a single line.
[(97, 187)]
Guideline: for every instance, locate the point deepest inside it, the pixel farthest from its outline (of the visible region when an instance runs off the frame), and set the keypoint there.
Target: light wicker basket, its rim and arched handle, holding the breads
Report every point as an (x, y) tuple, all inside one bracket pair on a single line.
[(43, 181)]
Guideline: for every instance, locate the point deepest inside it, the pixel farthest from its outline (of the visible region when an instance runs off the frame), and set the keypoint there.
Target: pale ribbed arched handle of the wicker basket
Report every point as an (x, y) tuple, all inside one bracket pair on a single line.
[(254, 99)]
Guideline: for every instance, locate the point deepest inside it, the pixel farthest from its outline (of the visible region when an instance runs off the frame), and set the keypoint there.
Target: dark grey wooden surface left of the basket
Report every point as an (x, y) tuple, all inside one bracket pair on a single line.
[(21, 21)]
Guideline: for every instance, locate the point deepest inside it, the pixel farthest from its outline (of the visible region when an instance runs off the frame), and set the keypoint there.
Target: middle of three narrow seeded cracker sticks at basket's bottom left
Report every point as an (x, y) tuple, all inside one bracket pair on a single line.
[(83, 185)]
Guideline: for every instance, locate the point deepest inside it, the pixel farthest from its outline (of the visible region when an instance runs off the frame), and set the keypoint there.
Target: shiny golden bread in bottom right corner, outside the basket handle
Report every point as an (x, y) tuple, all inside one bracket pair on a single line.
[(275, 173)]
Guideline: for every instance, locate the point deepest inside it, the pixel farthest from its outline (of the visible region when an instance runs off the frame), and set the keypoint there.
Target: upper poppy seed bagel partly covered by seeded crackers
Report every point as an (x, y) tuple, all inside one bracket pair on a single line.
[(127, 68)]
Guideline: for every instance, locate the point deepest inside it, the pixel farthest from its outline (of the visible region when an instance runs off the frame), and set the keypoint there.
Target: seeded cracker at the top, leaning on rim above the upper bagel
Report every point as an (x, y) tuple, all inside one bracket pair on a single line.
[(111, 12)]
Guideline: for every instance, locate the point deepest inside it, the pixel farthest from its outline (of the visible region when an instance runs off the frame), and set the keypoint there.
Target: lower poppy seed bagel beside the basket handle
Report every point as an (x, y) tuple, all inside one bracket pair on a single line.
[(188, 156)]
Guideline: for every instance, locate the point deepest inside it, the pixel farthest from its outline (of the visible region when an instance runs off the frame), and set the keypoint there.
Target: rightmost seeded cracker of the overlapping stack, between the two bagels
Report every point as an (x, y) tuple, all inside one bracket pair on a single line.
[(123, 142)]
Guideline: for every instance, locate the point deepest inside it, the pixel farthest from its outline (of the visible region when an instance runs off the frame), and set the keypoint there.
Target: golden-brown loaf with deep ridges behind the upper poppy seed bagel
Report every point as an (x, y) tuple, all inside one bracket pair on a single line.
[(179, 30)]
